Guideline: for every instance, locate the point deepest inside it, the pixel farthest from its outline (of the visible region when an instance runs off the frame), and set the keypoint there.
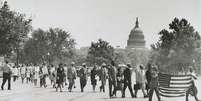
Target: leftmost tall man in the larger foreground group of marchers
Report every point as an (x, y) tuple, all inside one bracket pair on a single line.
[(112, 79)]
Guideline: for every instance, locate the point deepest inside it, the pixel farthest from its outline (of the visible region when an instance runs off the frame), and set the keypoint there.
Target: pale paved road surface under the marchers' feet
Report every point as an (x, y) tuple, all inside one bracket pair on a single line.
[(27, 92)]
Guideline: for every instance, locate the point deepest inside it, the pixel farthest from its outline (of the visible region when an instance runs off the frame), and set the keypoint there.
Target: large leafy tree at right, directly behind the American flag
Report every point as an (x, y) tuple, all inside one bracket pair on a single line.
[(176, 48)]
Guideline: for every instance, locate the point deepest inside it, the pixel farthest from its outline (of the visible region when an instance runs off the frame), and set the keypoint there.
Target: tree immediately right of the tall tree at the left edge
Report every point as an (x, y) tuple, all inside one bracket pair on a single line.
[(36, 48)]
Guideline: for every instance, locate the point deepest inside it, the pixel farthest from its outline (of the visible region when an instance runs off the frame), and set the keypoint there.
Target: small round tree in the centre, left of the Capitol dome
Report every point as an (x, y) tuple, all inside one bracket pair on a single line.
[(100, 52)]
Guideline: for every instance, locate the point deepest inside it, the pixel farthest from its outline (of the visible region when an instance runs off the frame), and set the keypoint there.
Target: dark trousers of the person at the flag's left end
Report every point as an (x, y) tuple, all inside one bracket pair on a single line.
[(151, 91)]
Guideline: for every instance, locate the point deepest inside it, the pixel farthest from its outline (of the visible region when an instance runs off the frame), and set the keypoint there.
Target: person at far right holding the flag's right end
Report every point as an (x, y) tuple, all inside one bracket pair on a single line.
[(192, 89)]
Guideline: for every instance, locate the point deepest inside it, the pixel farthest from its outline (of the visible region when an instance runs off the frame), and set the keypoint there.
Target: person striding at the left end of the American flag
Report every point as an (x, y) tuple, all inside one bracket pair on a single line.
[(154, 83)]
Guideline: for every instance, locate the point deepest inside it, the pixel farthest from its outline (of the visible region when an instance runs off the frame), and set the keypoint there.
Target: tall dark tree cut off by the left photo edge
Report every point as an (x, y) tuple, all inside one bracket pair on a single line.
[(14, 28)]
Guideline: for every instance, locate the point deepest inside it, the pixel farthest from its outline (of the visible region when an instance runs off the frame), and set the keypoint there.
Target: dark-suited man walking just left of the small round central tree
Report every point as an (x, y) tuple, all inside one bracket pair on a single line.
[(83, 77)]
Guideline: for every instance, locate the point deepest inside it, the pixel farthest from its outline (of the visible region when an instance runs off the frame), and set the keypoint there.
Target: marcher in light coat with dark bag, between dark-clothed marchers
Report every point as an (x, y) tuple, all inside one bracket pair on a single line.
[(140, 81)]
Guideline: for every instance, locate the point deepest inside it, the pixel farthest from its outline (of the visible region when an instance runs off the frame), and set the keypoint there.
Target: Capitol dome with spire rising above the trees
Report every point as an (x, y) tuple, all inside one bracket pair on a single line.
[(136, 38)]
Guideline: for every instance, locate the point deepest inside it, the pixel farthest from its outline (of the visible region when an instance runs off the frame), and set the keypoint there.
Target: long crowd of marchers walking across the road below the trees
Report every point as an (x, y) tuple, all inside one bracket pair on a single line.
[(119, 77)]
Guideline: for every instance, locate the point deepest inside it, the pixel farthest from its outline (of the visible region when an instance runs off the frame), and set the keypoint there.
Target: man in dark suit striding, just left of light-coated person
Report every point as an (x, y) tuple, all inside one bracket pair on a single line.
[(127, 80)]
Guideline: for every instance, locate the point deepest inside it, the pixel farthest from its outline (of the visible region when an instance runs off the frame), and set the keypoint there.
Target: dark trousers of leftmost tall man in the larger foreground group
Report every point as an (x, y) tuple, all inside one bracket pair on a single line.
[(112, 88)]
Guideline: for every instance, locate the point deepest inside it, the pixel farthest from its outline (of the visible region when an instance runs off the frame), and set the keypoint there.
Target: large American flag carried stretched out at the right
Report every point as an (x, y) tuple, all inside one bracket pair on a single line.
[(173, 85)]
